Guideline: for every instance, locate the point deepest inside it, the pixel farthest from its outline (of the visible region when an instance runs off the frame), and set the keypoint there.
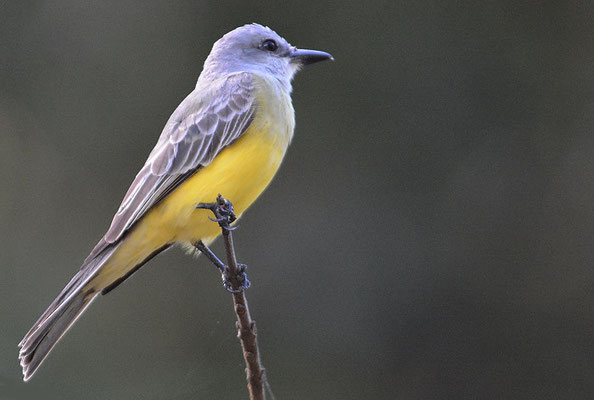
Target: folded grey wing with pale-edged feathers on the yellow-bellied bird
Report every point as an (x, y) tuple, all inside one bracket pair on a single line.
[(204, 123)]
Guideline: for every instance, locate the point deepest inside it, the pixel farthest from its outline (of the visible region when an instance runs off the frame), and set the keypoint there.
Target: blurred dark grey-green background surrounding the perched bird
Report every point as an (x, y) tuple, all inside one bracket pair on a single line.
[(429, 236)]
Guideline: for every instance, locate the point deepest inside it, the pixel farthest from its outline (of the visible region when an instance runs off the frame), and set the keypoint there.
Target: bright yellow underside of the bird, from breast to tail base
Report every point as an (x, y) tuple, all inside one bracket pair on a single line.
[(240, 173)]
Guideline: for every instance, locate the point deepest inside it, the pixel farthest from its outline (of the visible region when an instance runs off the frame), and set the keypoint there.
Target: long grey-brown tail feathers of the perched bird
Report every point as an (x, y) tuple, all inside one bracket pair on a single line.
[(61, 314)]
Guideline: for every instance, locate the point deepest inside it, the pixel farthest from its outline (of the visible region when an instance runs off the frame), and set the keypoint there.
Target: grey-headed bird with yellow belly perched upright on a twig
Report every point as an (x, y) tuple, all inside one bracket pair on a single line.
[(229, 135)]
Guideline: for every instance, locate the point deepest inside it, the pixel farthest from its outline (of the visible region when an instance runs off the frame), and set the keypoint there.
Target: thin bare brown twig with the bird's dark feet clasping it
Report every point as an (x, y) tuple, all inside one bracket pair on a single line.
[(236, 282)]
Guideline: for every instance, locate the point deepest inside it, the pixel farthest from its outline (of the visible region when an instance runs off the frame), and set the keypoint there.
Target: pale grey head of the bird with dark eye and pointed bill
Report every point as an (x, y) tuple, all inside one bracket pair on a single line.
[(258, 49)]
